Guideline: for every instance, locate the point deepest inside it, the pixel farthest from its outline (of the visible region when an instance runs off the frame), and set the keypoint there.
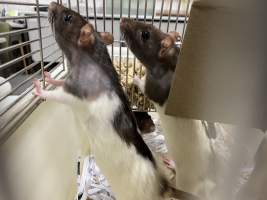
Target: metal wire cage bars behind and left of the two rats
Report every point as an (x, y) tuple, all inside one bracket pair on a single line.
[(28, 48)]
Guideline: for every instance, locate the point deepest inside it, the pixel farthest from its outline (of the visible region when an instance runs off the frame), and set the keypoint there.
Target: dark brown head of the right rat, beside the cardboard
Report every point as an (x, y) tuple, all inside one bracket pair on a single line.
[(150, 45)]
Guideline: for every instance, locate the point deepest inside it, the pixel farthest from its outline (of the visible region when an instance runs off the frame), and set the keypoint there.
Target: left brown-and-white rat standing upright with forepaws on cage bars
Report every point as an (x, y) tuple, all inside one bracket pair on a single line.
[(93, 91)]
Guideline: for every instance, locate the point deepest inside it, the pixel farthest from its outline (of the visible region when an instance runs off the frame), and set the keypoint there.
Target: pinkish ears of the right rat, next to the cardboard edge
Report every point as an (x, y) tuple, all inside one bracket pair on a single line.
[(168, 43)]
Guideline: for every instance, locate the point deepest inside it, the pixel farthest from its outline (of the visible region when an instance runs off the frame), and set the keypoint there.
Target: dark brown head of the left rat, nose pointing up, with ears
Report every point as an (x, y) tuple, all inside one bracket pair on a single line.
[(72, 31)]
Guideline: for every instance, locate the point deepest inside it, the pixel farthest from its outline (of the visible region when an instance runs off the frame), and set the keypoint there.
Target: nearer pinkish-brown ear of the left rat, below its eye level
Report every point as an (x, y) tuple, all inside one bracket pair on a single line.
[(86, 38)]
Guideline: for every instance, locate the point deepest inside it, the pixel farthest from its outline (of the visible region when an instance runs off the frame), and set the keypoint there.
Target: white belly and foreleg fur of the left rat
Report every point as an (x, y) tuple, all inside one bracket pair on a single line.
[(130, 175)]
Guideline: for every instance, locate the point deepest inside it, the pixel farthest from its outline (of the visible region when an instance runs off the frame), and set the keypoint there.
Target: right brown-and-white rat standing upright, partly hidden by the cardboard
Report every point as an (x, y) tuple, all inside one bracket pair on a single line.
[(186, 139)]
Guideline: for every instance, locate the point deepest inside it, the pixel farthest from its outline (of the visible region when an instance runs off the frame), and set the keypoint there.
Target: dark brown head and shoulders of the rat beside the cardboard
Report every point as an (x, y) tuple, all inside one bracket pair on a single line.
[(157, 51)]
